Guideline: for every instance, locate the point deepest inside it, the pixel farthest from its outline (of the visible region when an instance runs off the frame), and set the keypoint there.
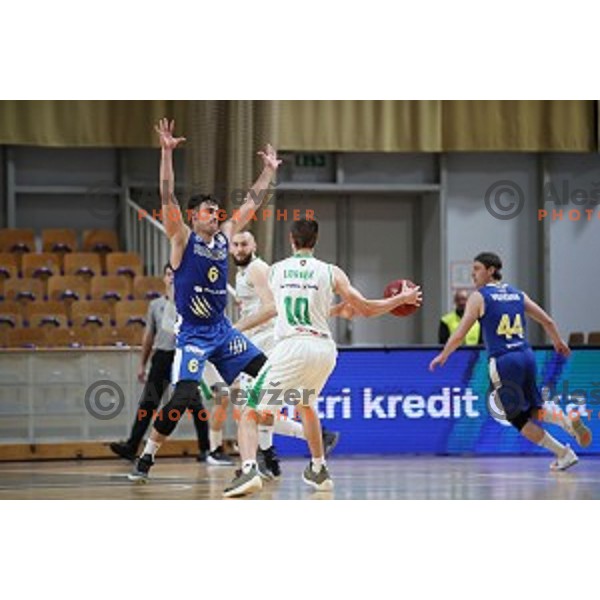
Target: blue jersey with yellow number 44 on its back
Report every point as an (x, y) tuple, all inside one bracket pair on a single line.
[(503, 321)]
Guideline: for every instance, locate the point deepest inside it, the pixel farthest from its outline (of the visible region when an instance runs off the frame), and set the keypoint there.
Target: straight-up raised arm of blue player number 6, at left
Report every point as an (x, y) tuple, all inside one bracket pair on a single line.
[(175, 228)]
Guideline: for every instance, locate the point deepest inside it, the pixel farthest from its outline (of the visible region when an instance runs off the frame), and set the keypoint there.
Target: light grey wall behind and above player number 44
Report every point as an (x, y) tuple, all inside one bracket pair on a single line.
[(564, 253)]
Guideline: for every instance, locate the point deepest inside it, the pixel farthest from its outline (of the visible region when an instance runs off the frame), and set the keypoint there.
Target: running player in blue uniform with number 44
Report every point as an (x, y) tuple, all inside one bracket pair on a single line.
[(501, 309)]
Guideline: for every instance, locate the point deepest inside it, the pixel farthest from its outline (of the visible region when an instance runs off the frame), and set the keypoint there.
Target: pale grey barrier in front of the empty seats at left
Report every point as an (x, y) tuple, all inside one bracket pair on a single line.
[(74, 395)]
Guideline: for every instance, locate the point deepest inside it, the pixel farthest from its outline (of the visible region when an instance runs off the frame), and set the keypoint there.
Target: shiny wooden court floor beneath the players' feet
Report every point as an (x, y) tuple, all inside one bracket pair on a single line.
[(355, 478)]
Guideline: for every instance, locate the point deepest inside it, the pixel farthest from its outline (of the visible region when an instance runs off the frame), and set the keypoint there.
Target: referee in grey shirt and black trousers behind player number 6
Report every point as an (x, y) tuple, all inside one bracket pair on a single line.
[(159, 342)]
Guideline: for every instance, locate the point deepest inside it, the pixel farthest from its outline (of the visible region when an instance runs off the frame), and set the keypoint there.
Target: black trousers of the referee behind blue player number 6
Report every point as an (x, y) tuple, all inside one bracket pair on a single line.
[(157, 382)]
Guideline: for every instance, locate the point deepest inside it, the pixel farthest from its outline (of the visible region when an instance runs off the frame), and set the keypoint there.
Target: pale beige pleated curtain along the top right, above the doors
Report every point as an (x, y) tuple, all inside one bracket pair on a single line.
[(438, 126)]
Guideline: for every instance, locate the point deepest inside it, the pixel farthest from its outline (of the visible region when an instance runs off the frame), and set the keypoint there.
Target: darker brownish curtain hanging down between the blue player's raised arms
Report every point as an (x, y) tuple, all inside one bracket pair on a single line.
[(223, 137)]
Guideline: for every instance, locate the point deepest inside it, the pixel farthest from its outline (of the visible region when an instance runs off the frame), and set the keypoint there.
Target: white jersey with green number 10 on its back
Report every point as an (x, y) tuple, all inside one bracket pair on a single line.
[(303, 289)]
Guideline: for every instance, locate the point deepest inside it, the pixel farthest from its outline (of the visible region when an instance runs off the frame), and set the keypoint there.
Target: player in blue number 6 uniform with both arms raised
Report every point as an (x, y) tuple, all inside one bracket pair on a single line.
[(199, 258)]
